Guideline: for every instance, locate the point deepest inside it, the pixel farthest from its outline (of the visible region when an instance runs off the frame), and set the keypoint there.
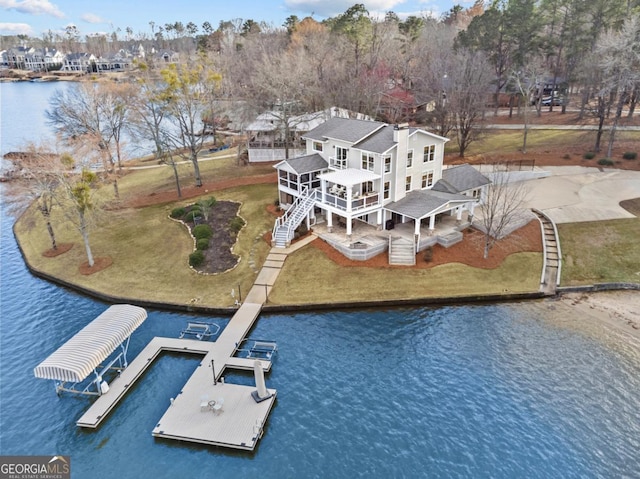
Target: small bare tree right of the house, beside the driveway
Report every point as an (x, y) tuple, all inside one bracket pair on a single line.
[(502, 207)]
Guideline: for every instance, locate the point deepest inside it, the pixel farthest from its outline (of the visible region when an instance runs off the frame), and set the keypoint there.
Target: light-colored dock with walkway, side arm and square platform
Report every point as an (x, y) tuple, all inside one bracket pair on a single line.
[(207, 410)]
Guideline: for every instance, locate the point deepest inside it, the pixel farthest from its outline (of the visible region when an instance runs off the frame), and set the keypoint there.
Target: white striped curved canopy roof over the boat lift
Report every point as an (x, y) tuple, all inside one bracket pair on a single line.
[(94, 343)]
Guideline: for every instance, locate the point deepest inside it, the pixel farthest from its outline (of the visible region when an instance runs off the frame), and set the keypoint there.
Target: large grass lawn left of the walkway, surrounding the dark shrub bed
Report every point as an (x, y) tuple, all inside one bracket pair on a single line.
[(150, 252)]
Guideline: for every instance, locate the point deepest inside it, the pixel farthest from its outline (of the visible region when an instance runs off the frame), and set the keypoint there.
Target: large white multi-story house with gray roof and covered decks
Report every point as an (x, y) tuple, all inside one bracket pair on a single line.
[(369, 176)]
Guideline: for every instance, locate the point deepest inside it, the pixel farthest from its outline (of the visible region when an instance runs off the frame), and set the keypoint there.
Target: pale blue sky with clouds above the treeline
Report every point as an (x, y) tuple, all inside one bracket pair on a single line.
[(35, 17)]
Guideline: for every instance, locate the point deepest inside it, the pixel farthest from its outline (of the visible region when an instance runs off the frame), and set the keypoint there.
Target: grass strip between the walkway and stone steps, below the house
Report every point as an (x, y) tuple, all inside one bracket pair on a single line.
[(310, 277)]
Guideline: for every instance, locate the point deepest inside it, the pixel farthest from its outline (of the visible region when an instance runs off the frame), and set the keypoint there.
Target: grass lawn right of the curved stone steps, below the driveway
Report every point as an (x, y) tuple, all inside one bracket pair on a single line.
[(600, 252)]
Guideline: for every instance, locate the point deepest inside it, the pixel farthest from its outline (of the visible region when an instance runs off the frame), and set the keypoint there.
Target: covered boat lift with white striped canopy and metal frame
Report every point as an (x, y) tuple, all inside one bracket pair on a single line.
[(83, 355)]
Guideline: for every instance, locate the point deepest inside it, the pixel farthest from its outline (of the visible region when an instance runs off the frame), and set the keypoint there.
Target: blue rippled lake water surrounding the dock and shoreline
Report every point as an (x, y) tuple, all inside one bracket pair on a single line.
[(499, 391)]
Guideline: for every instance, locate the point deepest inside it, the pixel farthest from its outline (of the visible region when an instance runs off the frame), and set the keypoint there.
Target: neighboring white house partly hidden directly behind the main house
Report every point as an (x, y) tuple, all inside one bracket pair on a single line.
[(269, 140)]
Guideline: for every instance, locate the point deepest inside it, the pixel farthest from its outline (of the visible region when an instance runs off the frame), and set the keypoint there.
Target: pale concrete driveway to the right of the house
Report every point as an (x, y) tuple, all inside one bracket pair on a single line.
[(574, 194)]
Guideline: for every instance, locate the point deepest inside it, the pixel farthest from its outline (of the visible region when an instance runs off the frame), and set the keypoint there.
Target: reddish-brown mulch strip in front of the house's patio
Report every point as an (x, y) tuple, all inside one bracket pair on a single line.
[(469, 251)]
